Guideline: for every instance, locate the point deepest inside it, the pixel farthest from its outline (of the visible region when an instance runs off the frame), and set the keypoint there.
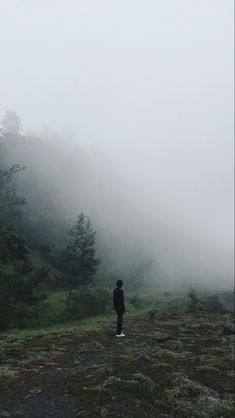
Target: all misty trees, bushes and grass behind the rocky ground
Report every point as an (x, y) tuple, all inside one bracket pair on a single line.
[(48, 277)]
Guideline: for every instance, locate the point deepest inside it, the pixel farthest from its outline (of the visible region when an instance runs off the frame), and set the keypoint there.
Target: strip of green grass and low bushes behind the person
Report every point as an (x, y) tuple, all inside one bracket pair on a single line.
[(91, 308)]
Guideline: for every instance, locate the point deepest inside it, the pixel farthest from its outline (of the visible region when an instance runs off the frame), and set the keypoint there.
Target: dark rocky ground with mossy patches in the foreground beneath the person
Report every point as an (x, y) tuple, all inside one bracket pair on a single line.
[(180, 365)]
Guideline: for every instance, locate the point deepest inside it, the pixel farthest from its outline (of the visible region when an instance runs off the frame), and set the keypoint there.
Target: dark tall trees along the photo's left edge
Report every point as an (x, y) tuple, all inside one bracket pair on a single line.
[(18, 279)]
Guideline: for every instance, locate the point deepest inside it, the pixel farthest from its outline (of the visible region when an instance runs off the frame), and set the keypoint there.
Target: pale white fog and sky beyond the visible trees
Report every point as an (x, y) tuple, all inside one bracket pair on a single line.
[(144, 89)]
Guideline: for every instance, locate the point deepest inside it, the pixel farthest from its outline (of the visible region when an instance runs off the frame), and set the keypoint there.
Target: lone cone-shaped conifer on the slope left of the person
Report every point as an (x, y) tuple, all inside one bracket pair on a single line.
[(79, 259)]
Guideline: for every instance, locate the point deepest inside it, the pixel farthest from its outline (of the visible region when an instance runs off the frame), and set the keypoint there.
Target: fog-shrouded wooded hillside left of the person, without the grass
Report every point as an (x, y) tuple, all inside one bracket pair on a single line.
[(47, 240)]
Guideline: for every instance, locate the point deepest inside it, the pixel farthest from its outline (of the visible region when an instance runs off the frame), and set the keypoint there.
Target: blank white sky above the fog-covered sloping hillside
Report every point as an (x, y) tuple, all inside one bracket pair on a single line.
[(149, 82)]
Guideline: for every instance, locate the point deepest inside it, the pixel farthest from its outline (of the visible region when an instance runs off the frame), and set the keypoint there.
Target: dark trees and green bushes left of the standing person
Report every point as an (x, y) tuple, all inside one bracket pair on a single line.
[(34, 274)]
